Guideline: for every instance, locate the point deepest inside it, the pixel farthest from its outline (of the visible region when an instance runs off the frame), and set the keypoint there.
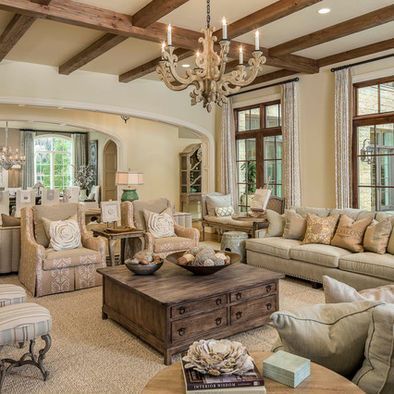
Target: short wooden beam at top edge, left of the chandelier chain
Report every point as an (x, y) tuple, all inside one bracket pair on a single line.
[(155, 10)]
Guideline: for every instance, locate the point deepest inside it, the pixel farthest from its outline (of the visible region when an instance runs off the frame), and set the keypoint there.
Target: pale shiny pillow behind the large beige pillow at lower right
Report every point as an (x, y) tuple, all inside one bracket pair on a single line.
[(336, 291)]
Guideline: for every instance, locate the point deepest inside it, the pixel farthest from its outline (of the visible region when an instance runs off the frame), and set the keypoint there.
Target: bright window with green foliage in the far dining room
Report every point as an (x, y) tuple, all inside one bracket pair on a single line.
[(52, 161)]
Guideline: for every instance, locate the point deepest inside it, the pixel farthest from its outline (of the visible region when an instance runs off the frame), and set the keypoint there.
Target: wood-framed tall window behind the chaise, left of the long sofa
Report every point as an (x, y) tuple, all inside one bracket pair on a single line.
[(259, 150)]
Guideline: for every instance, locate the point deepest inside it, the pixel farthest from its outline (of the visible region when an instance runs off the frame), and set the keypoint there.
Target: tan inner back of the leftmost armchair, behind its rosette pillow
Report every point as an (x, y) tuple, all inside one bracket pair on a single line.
[(52, 212)]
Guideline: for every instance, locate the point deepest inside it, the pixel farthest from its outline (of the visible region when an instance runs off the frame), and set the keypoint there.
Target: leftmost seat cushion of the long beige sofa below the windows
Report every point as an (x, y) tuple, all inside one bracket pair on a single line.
[(275, 246)]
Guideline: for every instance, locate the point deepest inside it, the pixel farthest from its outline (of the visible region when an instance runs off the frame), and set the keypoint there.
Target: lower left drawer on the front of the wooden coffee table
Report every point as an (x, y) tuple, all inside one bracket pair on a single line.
[(186, 328)]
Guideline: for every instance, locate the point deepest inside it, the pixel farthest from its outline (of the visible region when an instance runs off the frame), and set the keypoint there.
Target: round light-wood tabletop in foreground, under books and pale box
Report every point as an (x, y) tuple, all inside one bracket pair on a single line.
[(322, 380)]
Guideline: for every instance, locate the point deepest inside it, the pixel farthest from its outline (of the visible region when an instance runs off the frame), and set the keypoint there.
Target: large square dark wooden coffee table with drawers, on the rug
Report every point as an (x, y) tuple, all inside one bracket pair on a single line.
[(172, 308)]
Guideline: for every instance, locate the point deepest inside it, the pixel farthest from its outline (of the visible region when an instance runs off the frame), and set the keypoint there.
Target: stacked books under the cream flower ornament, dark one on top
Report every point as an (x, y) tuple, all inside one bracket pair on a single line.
[(196, 382)]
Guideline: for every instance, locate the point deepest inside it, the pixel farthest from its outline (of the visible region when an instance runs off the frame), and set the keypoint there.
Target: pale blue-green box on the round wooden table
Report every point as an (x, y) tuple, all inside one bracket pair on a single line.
[(287, 368)]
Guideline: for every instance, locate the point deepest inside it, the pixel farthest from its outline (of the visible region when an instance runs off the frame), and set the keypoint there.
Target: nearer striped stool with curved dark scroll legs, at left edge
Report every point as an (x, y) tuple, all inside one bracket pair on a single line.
[(20, 323)]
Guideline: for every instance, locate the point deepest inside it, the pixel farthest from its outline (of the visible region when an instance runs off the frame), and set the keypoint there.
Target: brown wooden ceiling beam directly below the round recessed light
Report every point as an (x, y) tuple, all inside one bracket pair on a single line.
[(351, 26)]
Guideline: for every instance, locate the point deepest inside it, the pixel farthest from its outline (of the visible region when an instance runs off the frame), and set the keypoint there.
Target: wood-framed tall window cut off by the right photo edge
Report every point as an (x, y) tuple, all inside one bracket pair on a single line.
[(373, 158)]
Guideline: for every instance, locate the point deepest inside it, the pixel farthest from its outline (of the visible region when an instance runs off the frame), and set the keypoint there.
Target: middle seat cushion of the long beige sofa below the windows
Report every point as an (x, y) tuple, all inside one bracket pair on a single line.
[(319, 254)]
